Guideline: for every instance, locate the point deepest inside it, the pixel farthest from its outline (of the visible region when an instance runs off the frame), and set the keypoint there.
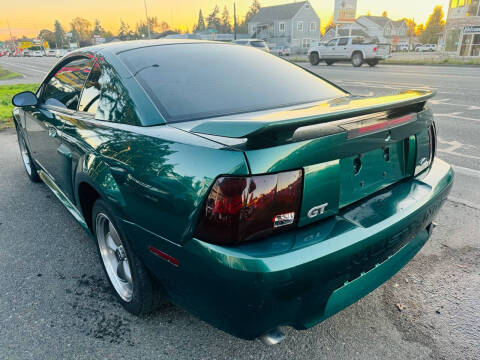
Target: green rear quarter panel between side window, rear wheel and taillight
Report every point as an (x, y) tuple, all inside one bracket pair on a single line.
[(169, 172)]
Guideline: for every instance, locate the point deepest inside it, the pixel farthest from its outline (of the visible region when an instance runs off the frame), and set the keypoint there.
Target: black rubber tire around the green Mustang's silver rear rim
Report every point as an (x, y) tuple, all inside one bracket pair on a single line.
[(146, 293)]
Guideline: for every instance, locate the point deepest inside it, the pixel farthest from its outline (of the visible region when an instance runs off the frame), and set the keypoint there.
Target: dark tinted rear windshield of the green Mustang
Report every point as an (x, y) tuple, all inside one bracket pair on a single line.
[(195, 81)]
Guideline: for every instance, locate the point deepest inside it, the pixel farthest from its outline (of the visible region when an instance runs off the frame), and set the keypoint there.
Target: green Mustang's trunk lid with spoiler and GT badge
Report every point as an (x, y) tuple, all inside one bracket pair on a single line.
[(348, 148)]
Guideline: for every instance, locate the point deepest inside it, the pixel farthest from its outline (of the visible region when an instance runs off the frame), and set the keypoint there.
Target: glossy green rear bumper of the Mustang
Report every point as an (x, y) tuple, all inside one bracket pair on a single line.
[(301, 277)]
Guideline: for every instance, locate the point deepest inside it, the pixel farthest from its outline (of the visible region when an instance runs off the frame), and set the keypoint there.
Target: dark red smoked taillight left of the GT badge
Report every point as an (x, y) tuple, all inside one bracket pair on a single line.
[(244, 208)]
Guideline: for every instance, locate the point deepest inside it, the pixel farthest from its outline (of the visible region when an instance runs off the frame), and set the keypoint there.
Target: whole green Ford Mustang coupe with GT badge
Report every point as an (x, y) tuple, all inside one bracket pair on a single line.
[(232, 183)]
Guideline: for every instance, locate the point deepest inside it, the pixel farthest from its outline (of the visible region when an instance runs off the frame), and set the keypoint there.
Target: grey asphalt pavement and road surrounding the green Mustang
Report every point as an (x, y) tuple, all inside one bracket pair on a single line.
[(55, 302)]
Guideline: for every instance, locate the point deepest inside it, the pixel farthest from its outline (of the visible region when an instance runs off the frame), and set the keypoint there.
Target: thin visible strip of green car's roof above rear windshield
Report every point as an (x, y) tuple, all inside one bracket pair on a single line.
[(121, 46)]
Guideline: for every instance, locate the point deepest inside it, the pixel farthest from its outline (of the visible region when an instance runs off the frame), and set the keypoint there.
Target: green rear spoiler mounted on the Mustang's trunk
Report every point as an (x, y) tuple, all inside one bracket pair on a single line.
[(251, 125)]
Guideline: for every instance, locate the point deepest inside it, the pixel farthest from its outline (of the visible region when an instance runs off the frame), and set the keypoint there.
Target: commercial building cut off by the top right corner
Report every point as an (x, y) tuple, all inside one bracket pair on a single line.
[(462, 30)]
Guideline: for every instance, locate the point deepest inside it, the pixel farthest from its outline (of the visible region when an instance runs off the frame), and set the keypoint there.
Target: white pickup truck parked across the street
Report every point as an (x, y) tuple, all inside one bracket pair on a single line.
[(349, 48)]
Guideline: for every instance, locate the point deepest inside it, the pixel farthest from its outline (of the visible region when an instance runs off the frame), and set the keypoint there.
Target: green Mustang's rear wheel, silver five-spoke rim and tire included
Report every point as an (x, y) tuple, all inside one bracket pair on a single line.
[(131, 282)]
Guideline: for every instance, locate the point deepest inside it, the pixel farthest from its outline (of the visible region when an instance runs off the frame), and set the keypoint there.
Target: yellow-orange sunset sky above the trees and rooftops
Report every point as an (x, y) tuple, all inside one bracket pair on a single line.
[(28, 17)]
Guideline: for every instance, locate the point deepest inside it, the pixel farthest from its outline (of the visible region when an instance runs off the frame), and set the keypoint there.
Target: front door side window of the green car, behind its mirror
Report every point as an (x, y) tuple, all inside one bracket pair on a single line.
[(64, 88)]
